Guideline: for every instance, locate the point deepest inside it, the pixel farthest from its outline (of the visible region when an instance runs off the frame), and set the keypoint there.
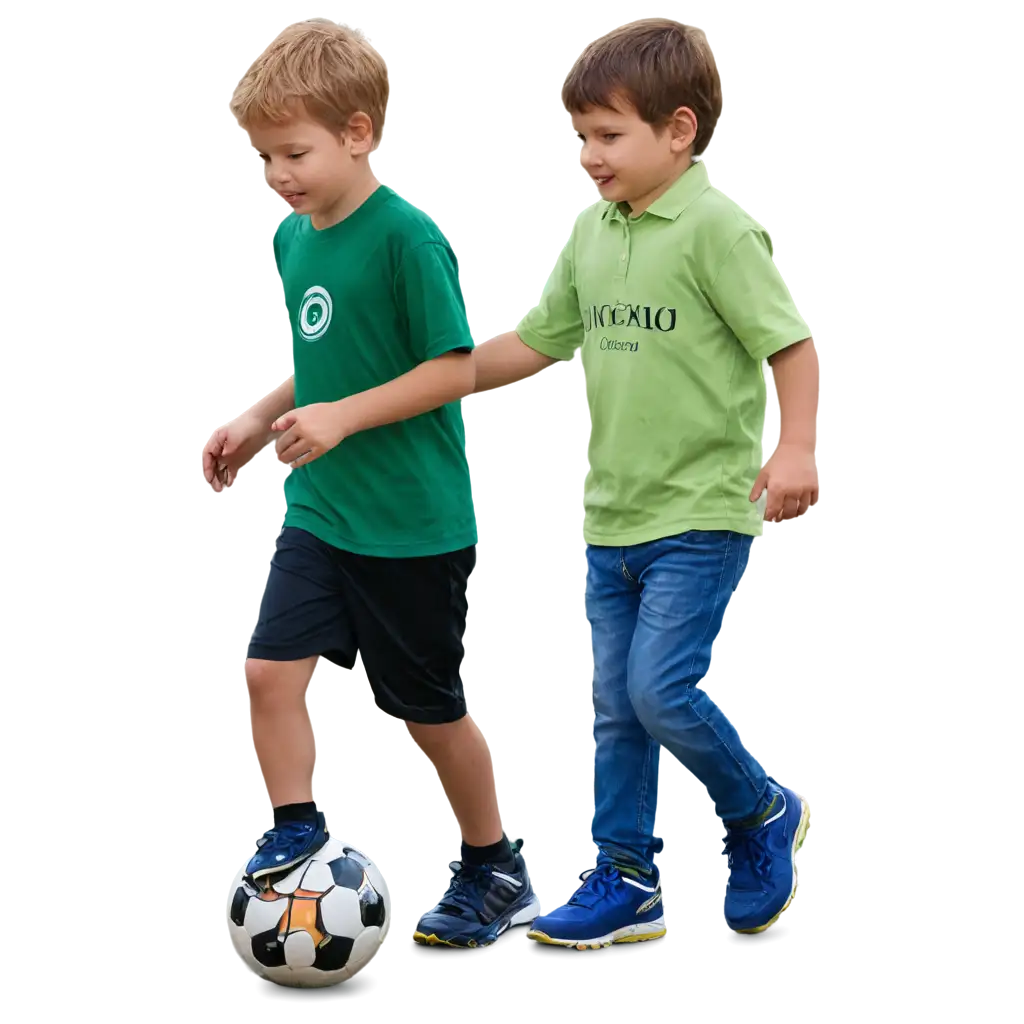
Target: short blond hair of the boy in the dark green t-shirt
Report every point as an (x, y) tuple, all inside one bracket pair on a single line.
[(320, 67)]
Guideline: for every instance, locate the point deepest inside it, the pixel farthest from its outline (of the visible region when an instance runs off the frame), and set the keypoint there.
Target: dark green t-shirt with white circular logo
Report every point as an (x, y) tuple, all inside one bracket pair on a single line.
[(368, 301)]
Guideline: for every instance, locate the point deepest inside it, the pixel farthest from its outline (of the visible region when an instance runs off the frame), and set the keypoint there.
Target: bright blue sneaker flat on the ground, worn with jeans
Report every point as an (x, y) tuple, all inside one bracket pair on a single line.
[(612, 906)]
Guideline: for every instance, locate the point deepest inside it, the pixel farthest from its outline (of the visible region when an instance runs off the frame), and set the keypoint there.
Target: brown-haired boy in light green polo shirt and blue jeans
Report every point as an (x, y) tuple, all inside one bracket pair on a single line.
[(668, 292)]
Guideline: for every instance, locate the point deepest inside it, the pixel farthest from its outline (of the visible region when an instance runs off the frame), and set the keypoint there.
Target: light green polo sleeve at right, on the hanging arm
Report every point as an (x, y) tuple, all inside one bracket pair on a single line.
[(753, 298)]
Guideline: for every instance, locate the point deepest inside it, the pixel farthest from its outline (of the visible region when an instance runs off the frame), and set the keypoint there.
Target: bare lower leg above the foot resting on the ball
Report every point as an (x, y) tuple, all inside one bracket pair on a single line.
[(282, 737)]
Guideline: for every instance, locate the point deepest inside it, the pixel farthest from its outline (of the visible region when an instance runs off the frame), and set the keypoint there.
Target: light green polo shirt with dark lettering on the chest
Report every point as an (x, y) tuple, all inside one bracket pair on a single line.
[(673, 316)]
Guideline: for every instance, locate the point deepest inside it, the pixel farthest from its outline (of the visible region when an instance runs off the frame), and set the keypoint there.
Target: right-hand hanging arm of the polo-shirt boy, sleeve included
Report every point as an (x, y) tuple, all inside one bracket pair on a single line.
[(753, 298)]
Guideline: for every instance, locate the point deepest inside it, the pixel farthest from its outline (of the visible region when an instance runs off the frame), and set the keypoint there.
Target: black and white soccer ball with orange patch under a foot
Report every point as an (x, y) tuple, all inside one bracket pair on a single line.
[(321, 925)]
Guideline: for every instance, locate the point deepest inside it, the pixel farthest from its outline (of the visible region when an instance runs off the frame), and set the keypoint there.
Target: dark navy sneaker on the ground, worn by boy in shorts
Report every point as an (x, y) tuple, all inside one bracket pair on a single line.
[(479, 906)]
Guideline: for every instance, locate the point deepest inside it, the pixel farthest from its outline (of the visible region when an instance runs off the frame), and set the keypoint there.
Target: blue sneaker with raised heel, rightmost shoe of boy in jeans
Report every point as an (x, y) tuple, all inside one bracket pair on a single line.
[(764, 865)]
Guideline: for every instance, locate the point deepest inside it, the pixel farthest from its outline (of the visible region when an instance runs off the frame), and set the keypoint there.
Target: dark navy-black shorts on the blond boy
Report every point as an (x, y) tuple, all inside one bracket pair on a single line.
[(401, 623)]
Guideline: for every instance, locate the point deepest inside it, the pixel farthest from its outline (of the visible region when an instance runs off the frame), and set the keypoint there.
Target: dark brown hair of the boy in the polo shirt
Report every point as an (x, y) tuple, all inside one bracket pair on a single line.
[(656, 66)]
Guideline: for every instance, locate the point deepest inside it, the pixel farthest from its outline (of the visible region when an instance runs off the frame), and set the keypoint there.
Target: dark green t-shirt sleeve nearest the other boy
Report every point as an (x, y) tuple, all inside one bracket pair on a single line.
[(429, 291)]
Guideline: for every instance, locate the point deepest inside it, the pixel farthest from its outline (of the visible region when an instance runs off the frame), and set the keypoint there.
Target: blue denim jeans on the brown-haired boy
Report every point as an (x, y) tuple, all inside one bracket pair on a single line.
[(653, 613)]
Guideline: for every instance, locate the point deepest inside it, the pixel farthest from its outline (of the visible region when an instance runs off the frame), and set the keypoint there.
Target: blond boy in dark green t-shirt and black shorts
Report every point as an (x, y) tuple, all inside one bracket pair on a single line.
[(378, 541)]
